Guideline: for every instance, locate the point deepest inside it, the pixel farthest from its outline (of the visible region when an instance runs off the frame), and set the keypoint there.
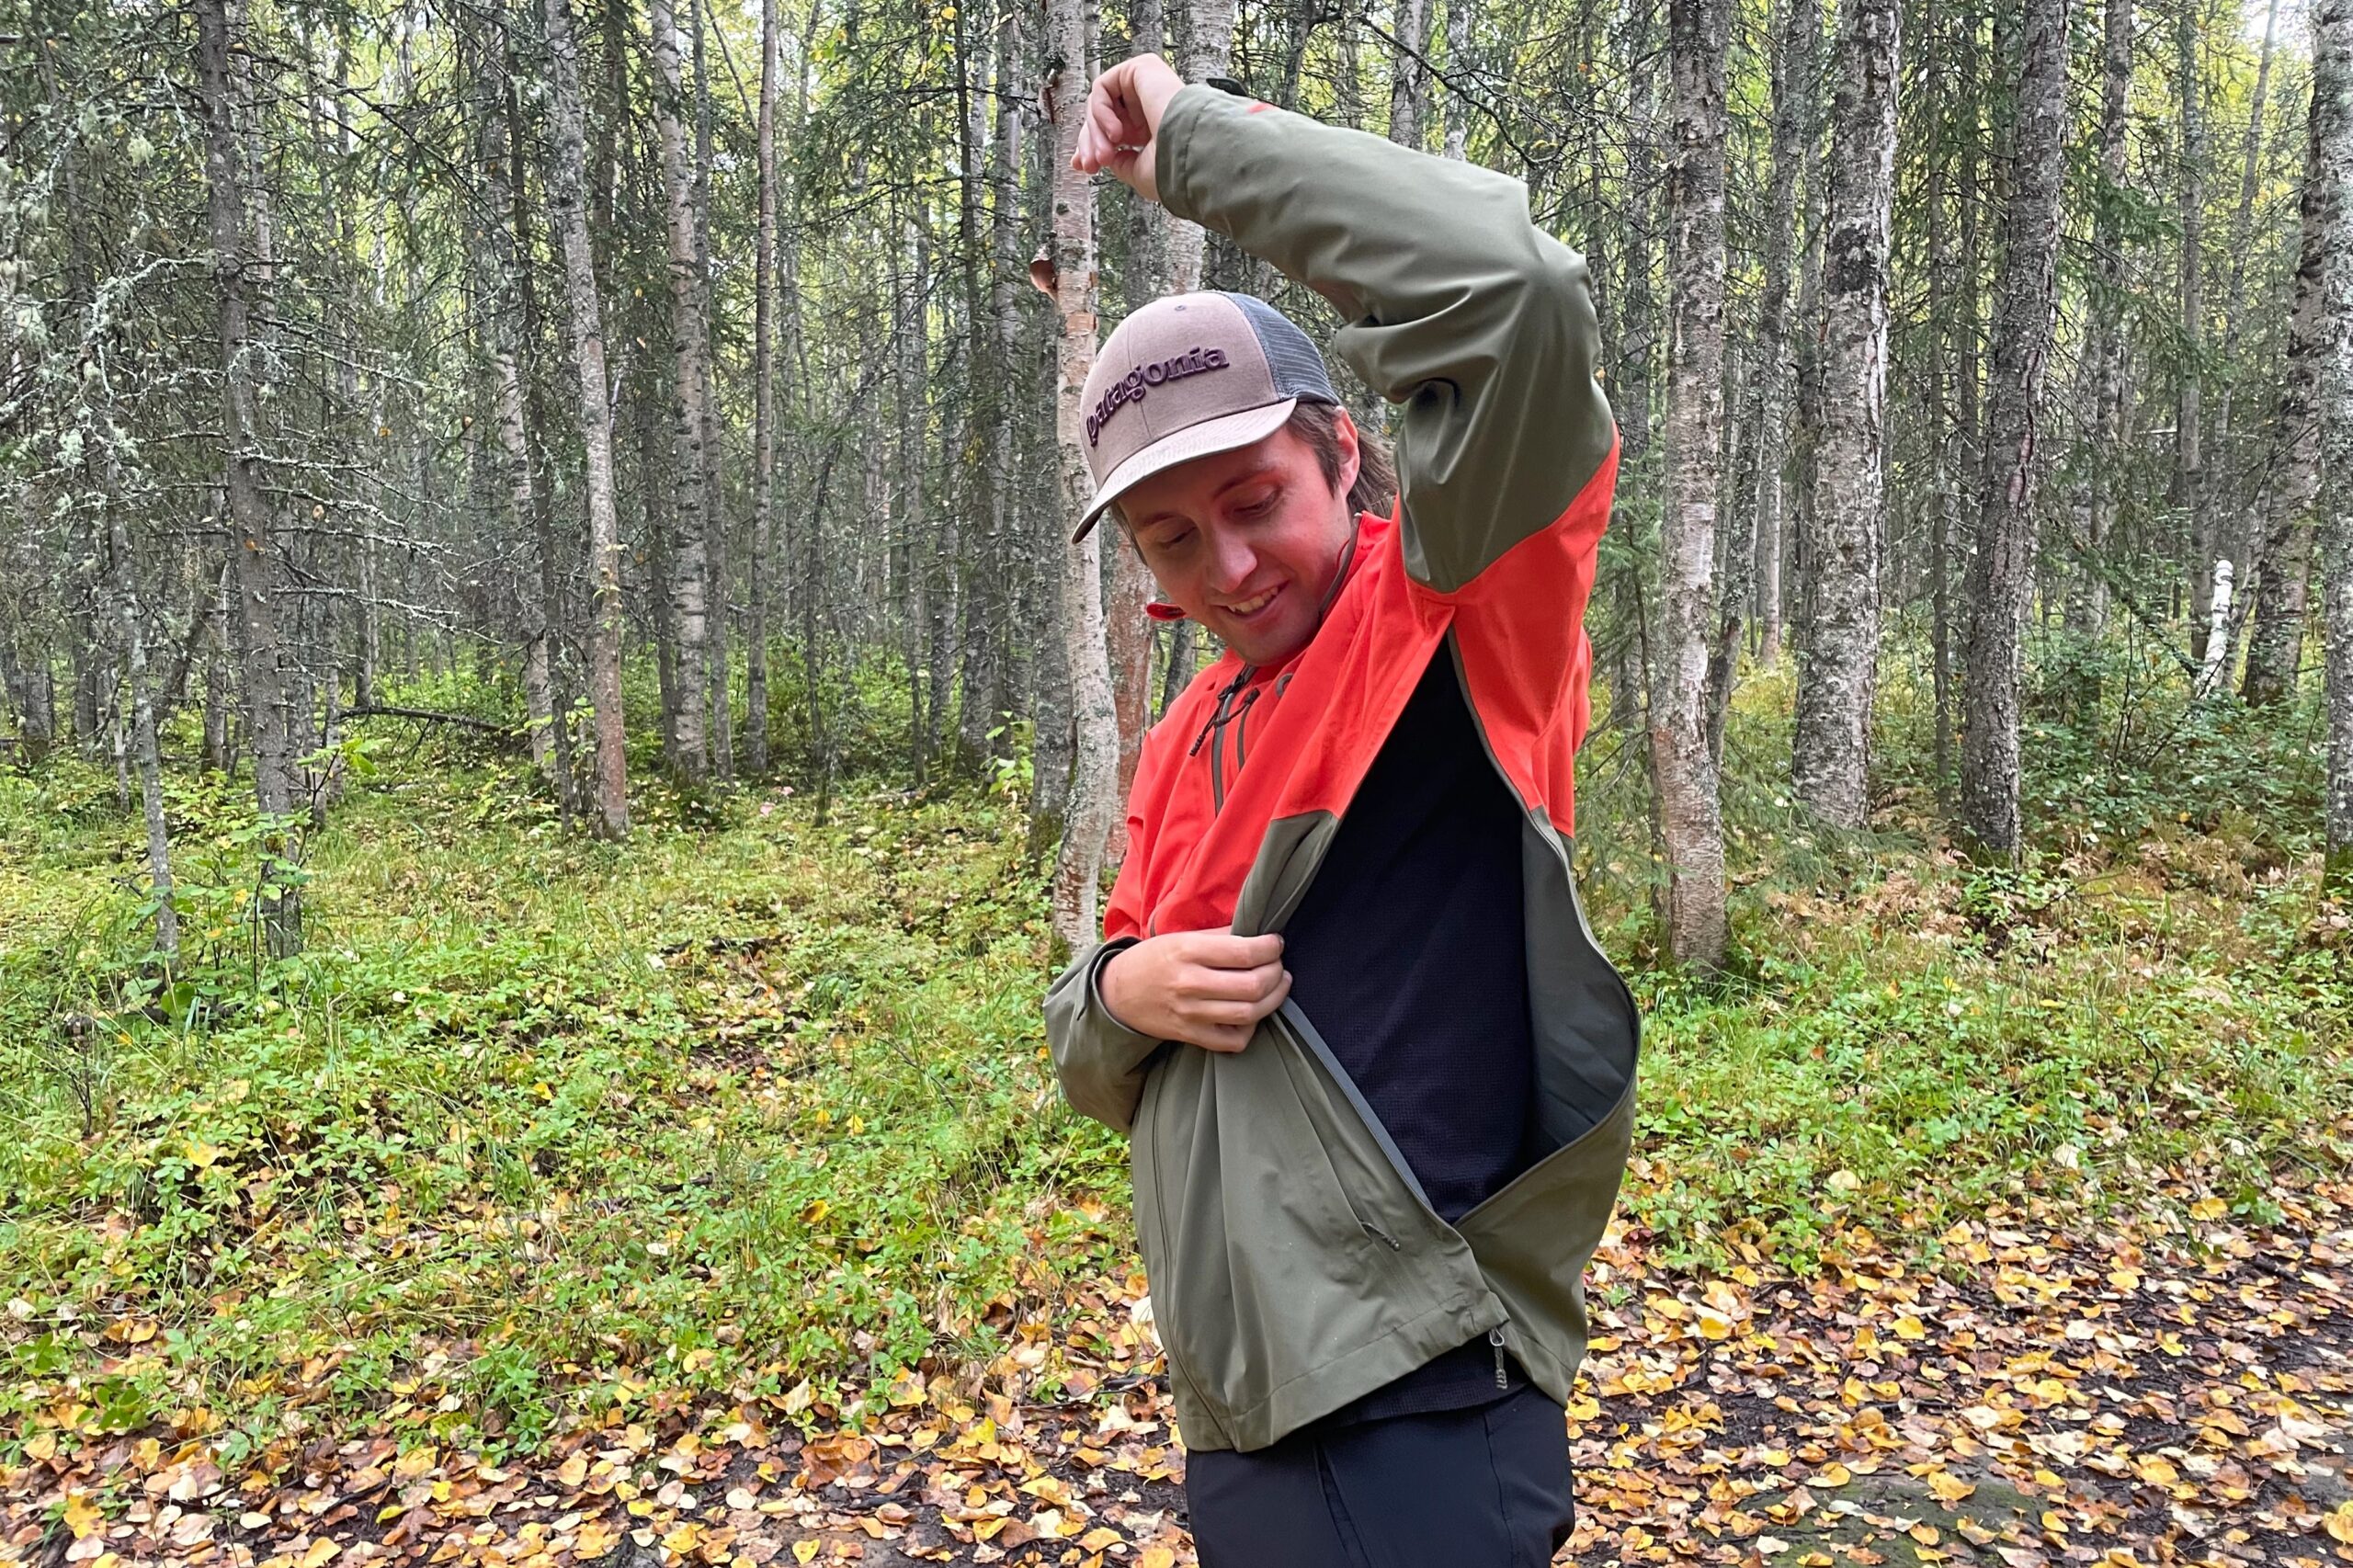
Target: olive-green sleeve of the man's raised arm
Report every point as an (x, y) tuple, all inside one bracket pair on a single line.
[(1458, 307)]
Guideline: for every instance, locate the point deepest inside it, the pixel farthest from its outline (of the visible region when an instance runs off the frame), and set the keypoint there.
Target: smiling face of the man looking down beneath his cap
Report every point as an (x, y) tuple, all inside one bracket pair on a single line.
[(1248, 543)]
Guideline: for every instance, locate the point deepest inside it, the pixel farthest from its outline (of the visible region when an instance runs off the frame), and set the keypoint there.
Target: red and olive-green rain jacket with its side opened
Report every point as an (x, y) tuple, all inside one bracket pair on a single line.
[(1295, 1261)]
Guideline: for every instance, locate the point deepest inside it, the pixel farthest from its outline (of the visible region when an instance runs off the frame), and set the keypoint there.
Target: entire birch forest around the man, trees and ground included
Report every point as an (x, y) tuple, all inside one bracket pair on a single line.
[(554, 736)]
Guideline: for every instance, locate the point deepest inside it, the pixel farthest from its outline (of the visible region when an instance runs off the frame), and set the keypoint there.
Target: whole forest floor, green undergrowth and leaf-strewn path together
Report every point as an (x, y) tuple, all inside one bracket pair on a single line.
[(709, 1202)]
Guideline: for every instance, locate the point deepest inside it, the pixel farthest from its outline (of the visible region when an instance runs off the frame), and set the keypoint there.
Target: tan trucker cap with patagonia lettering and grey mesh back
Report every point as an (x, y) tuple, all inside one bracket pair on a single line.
[(1192, 376)]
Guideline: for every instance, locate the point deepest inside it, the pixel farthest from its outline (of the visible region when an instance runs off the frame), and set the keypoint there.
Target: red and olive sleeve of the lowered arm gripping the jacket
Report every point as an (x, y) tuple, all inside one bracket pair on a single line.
[(1098, 1058)]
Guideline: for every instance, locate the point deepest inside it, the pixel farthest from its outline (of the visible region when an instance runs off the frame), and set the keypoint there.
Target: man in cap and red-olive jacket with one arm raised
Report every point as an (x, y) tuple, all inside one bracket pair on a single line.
[(1375, 1072)]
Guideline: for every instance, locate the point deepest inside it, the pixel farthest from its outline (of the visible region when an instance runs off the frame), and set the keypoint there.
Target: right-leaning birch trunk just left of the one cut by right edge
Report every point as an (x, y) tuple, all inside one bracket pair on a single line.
[(2277, 642)]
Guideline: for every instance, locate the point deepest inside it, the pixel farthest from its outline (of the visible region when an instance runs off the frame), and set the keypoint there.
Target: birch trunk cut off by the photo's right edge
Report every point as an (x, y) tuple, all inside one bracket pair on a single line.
[(2333, 171)]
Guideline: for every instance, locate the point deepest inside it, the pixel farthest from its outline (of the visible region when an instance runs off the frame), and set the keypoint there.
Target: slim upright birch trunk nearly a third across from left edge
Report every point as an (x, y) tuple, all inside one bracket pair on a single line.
[(691, 352)]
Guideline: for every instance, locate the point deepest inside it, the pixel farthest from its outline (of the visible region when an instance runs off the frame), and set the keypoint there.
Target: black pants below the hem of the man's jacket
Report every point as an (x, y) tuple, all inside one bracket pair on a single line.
[(1467, 1489)]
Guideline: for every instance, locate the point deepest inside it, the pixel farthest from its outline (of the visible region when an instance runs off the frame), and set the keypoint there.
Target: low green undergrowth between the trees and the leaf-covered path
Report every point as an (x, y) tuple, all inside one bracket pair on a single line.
[(749, 1103)]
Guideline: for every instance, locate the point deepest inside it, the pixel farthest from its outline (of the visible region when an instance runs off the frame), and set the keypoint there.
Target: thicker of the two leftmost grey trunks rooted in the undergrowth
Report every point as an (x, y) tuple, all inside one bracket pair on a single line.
[(253, 550)]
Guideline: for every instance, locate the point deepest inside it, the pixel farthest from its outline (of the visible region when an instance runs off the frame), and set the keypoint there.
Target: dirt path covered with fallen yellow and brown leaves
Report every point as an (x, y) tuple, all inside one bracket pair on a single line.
[(2126, 1402)]
